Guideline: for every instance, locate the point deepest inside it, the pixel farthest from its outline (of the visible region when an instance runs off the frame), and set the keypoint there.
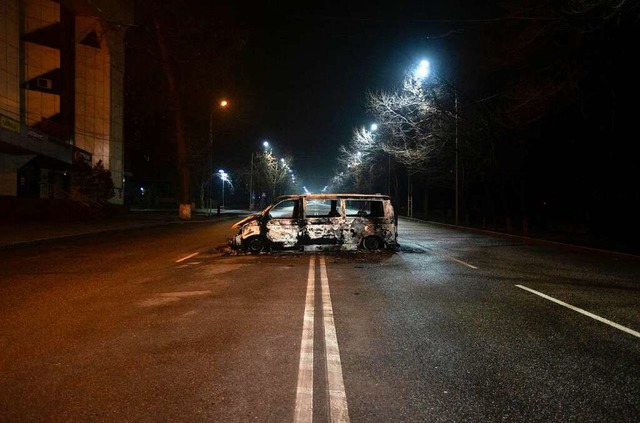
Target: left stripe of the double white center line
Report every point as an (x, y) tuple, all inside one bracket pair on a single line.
[(304, 393)]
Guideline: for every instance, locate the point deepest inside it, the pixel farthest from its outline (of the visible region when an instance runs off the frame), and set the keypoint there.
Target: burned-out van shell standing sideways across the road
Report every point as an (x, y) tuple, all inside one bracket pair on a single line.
[(320, 222)]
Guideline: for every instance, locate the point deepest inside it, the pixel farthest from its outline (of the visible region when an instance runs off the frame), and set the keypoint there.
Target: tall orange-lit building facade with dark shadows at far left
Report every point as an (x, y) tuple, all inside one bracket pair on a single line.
[(61, 93)]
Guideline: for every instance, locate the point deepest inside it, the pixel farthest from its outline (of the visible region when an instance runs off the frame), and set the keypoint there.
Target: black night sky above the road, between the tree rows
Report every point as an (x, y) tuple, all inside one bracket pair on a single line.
[(306, 72)]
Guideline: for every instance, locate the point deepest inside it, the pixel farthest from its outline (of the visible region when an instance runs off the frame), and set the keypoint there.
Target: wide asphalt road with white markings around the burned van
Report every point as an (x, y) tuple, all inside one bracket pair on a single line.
[(160, 325)]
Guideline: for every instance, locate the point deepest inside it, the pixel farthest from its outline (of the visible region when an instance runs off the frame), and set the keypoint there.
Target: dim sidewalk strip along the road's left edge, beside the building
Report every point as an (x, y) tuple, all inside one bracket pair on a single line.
[(17, 233)]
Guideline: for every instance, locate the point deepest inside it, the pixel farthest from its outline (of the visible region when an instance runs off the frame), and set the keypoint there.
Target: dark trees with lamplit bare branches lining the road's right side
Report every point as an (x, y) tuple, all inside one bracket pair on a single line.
[(541, 133)]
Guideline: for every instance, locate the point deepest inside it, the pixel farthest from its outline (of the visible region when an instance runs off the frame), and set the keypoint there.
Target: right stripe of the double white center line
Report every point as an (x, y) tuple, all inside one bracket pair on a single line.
[(339, 411)]
